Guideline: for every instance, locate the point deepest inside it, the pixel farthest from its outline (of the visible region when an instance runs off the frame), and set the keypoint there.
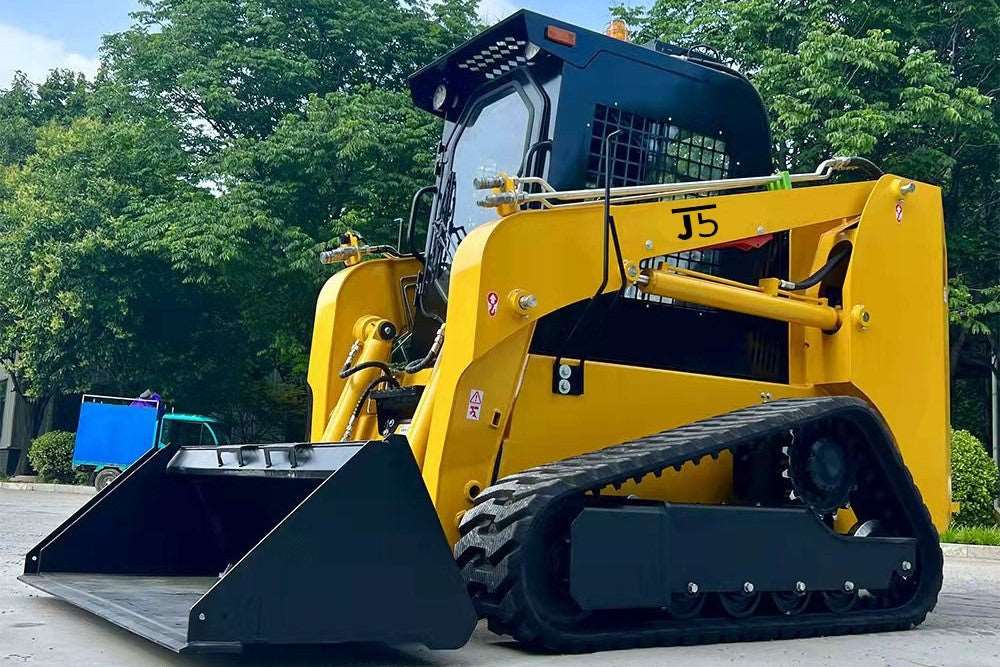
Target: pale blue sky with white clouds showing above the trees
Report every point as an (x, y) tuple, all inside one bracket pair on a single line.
[(38, 35)]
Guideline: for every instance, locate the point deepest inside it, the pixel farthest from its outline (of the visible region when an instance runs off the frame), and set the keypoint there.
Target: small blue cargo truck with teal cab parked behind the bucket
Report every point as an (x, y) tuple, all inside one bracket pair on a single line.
[(113, 432)]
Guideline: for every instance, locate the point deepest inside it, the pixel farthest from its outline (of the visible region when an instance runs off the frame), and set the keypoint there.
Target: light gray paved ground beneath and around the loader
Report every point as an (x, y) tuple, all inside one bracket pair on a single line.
[(36, 629)]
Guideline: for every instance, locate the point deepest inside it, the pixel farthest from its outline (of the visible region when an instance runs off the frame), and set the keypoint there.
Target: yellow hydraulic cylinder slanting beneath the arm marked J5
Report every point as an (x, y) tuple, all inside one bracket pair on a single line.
[(743, 299)]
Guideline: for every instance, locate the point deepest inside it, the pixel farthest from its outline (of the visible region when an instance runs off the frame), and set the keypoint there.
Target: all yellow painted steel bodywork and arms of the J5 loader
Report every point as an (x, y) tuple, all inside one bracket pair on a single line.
[(895, 360)]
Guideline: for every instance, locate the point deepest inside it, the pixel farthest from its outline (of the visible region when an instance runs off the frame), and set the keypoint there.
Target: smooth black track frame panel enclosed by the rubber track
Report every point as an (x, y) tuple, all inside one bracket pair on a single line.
[(719, 548)]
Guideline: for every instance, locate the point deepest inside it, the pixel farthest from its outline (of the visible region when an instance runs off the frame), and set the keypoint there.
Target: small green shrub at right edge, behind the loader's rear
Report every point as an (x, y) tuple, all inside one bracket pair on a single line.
[(974, 480)]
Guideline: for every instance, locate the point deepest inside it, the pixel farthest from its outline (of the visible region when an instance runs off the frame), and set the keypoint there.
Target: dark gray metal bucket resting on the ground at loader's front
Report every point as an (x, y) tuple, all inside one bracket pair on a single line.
[(318, 544)]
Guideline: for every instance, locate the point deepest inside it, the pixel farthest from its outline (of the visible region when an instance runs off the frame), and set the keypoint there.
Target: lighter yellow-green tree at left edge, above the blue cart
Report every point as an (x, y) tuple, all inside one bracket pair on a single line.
[(70, 269)]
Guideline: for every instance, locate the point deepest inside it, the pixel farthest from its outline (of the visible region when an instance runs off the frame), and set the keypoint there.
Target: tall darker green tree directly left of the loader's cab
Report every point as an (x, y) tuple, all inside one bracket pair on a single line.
[(295, 116)]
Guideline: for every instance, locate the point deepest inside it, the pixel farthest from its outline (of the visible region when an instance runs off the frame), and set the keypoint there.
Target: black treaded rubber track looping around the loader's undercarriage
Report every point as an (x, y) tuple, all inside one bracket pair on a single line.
[(496, 534)]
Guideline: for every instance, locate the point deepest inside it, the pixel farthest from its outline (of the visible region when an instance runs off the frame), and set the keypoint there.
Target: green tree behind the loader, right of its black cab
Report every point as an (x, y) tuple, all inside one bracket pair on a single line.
[(910, 86)]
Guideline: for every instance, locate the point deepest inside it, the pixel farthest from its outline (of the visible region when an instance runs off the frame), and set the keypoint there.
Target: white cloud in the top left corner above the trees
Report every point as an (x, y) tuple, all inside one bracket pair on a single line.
[(35, 55)]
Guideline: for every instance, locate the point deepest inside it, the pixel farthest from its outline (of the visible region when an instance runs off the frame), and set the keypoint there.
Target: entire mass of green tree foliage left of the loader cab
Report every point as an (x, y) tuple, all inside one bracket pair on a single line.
[(159, 225)]
